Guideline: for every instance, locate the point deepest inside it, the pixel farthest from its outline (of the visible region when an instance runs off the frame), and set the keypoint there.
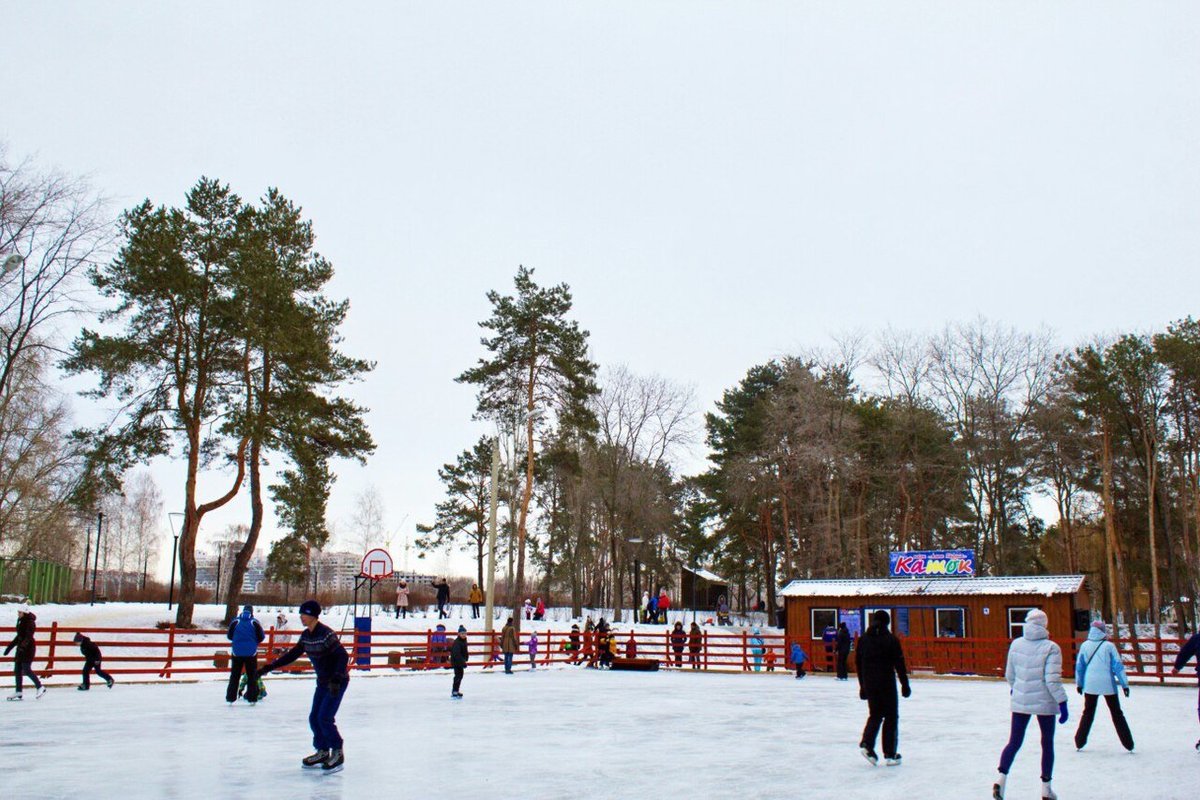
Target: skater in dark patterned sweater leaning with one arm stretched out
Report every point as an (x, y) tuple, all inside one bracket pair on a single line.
[(332, 665)]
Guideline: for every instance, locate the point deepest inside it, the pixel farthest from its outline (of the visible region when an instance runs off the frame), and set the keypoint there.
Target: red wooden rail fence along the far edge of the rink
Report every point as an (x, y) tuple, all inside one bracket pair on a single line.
[(166, 654)]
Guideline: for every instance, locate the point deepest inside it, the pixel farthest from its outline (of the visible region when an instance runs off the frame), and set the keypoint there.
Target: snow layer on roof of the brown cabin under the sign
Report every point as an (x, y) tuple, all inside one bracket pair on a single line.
[(1040, 585)]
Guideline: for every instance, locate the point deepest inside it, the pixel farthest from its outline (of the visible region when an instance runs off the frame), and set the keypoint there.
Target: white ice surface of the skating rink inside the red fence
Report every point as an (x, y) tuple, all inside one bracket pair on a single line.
[(569, 732)]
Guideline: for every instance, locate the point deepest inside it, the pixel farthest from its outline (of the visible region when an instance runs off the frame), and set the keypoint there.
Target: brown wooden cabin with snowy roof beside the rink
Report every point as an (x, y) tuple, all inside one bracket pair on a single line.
[(952, 624)]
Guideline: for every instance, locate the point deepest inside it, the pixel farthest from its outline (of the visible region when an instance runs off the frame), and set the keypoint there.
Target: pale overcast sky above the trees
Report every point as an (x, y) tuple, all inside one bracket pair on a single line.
[(719, 183)]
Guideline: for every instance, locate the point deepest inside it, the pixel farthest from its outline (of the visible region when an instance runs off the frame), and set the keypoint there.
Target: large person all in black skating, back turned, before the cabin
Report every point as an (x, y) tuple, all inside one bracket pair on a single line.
[(880, 661)]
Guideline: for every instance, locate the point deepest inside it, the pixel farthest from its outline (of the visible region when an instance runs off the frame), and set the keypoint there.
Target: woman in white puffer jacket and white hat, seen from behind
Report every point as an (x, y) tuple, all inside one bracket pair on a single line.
[(1035, 681)]
